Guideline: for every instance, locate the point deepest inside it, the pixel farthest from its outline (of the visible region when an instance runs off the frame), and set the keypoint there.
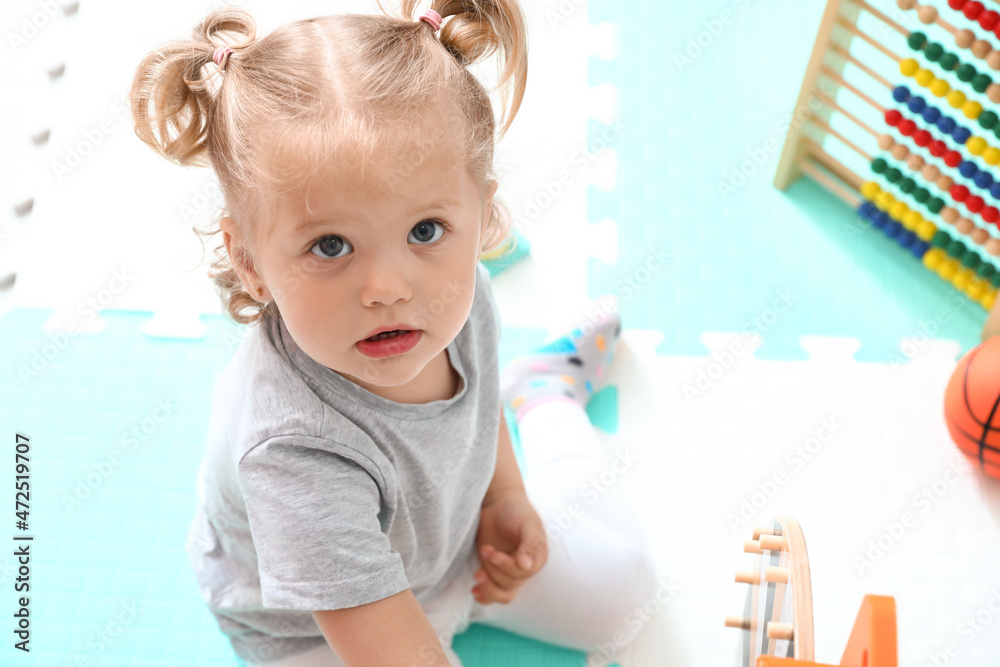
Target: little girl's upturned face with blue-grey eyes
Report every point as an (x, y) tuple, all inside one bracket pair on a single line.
[(365, 262)]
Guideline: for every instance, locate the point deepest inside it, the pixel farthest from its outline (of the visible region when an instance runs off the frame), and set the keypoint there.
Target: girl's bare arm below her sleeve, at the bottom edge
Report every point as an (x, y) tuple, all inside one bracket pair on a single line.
[(391, 632)]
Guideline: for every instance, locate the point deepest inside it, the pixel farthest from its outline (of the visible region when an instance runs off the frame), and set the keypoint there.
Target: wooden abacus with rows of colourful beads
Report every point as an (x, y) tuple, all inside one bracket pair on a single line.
[(873, 84)]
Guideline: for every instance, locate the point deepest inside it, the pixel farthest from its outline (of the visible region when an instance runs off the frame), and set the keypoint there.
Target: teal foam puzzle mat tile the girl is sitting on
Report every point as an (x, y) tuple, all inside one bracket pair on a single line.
[(116, 423)]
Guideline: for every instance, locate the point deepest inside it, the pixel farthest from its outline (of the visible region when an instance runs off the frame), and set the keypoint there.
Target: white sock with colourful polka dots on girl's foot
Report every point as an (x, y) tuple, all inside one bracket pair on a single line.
[(571, 367)]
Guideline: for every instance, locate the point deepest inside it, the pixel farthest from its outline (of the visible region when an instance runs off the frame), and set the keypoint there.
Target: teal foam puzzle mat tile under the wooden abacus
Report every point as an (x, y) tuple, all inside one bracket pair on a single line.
[(706, 243)]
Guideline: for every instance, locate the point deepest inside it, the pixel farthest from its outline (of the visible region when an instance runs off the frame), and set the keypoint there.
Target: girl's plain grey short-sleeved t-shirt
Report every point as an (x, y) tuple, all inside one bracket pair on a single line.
[(315, 493)]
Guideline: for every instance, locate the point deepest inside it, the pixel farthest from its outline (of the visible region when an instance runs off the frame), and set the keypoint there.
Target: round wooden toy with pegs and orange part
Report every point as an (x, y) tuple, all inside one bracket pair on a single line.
[(777, 623)]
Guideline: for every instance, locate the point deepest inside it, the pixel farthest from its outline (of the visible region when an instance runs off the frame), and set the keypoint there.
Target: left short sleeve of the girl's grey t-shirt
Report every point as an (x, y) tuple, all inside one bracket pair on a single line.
[(314, 521)]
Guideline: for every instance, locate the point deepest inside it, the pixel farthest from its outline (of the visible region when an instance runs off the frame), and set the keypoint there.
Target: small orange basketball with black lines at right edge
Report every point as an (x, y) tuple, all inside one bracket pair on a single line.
[(972, 406)]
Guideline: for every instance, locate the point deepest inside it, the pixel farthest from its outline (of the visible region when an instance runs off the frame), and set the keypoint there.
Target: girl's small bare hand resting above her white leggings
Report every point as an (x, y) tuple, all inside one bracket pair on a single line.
[(512, 547)]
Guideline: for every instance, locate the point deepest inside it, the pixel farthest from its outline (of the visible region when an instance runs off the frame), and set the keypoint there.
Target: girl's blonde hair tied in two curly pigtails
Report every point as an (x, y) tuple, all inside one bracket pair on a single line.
[(336, 86)]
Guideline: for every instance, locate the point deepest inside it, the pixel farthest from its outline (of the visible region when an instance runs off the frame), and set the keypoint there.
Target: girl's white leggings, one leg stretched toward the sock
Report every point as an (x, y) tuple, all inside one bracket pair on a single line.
[(599, 575)]
